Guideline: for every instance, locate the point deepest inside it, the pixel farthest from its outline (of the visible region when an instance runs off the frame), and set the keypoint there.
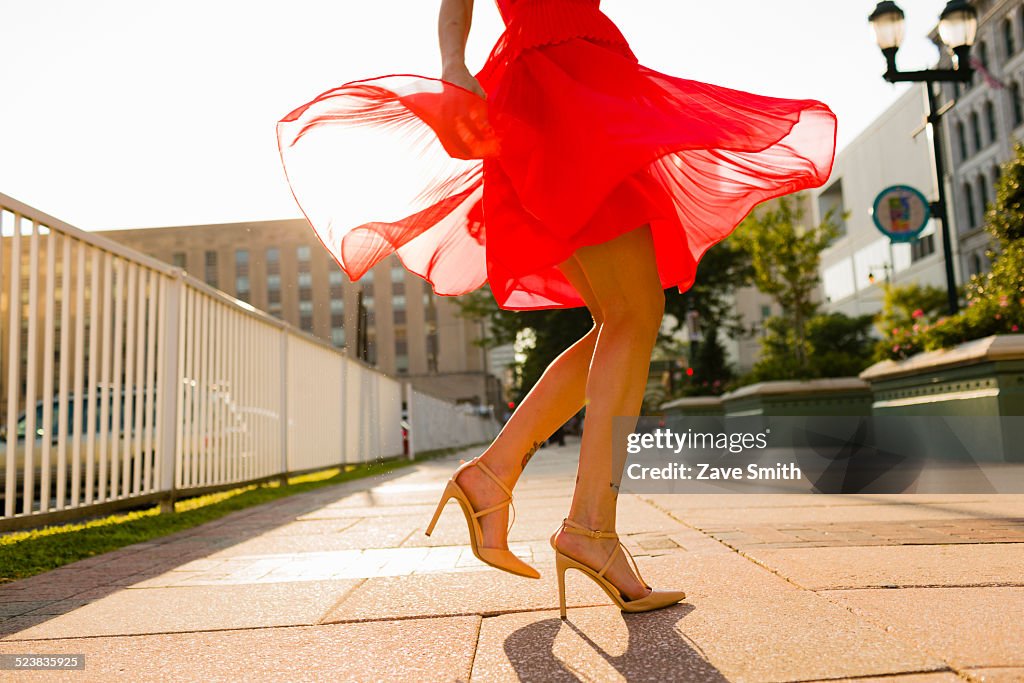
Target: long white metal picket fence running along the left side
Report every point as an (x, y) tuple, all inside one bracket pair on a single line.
[(148, 382)]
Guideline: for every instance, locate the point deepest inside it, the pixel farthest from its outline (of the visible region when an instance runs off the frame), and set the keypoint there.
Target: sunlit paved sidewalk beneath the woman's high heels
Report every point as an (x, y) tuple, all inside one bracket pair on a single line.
[(342, 584)]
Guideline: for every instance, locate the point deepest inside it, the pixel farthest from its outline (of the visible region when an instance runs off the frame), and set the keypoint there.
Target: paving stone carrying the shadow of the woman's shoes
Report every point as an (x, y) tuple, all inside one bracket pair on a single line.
[(713, 638)]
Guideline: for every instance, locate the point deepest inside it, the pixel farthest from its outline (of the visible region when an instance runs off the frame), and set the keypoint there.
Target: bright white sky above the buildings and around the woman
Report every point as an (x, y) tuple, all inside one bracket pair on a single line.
[(125, 114)]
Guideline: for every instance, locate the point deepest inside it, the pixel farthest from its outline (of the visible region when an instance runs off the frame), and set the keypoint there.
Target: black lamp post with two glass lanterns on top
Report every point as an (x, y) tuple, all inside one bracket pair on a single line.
[(958, 27)]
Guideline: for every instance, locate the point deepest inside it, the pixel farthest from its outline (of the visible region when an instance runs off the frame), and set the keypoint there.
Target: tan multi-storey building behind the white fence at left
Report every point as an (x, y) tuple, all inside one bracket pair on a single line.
[(279, 267)]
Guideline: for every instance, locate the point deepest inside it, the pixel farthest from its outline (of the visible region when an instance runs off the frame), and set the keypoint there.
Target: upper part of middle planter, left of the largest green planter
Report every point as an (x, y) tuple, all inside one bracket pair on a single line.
[(833, 397)]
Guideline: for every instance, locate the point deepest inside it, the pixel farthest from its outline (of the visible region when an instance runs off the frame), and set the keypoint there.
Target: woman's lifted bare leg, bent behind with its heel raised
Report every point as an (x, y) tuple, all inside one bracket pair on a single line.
[(557, 398)]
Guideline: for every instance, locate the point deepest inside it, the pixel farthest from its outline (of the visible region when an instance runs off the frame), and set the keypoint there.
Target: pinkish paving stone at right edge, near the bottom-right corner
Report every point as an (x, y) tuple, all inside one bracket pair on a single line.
[(967, 627)]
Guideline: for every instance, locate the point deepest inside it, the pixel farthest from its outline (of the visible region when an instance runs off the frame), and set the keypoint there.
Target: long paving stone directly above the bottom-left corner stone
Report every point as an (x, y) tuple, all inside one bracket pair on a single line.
[(194, 609)]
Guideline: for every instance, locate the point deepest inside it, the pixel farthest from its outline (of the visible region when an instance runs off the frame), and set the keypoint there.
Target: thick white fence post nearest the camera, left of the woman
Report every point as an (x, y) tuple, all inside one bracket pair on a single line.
[(170, 386)]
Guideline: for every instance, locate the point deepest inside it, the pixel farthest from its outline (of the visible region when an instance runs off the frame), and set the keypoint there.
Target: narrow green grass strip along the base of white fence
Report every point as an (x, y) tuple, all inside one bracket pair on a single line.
[(25, 554)]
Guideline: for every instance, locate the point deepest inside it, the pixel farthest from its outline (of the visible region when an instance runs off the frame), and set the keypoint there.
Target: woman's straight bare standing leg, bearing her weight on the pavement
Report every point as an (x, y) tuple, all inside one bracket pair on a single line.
[(623, 277)]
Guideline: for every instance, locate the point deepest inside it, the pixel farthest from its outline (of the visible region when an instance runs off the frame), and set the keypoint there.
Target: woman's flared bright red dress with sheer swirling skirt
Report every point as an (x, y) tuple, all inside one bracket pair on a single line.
[(576, 145)]
